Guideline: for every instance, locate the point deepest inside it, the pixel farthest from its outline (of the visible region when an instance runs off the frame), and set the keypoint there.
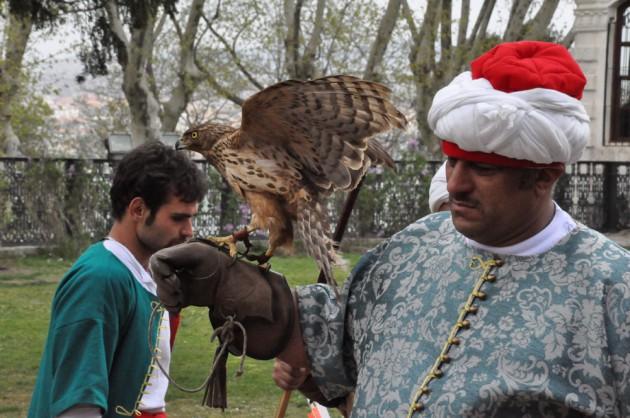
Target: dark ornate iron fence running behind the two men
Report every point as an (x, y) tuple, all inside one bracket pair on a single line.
[(45, 200)]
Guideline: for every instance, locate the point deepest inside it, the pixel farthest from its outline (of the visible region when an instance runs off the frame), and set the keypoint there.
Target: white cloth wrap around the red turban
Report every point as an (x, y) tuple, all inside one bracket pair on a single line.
[(539, 125)]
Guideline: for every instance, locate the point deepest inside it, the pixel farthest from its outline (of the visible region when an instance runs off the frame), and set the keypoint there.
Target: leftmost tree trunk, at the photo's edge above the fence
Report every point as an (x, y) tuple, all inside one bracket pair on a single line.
[(17, 33)]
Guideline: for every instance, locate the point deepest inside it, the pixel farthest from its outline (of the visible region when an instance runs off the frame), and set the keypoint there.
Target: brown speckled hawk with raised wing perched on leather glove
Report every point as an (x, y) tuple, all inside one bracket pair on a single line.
[(298, 142)]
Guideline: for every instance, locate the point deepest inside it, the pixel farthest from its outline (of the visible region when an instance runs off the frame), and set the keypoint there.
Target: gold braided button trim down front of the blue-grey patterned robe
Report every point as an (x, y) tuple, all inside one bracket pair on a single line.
[(436, 372)]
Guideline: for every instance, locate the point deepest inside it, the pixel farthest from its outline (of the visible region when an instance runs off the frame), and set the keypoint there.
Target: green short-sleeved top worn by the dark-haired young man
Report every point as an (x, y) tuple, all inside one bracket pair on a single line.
[(97, 350)]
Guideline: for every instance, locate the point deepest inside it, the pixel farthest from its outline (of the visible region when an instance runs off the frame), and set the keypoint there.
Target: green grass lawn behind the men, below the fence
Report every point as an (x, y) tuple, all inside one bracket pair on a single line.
[(28, 284)]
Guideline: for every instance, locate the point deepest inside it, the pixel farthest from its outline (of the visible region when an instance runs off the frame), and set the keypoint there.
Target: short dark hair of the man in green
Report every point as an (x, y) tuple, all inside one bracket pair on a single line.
[(154, 172)]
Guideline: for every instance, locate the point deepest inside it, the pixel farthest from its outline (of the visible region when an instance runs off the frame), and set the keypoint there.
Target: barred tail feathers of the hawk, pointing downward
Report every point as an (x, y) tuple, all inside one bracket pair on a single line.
[(313, 228)]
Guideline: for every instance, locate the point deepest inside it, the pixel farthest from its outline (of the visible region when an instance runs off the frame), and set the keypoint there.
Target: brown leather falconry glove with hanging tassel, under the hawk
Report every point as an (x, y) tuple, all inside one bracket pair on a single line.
[(198, 274)]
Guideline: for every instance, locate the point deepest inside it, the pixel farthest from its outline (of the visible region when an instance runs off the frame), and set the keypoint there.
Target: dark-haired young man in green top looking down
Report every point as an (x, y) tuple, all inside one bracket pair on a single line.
[(97, 362)]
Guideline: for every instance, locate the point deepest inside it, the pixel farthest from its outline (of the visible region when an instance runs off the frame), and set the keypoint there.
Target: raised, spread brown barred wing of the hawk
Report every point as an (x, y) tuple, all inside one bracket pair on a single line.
[(324, 123)]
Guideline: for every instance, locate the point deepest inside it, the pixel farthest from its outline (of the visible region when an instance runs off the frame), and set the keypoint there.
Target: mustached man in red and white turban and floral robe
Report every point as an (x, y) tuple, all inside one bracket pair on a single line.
[(504, 307)]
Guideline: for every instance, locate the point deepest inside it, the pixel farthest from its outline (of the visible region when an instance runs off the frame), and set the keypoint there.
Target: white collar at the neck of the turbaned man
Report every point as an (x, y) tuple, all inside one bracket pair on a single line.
[(559, 227)]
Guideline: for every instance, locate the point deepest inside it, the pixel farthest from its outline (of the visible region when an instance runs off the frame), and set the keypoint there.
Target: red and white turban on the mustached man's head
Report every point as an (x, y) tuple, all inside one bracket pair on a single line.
[(517, 107)]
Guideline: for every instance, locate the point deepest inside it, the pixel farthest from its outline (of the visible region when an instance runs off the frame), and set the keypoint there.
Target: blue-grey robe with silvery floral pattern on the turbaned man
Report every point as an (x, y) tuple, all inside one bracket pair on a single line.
[(551, 338)]
